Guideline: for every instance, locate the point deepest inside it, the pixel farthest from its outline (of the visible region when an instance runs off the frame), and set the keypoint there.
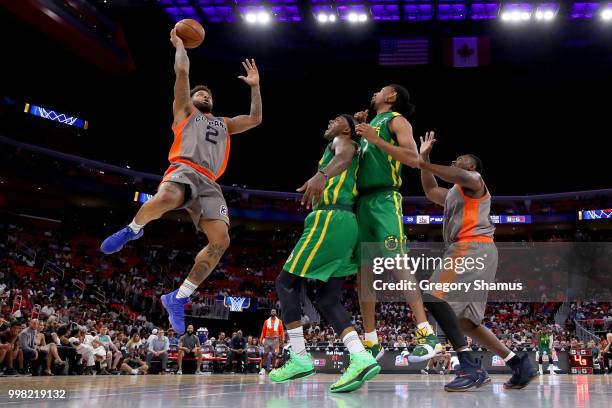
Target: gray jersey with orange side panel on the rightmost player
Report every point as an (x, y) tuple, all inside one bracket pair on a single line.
[(467, 219)]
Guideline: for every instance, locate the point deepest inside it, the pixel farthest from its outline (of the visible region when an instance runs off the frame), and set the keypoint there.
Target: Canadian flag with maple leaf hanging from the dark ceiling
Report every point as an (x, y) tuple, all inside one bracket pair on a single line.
[(466, 52)]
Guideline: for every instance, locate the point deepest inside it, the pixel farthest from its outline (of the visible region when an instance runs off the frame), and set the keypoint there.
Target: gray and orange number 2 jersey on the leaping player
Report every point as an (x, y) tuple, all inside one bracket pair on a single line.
[(203, 143)]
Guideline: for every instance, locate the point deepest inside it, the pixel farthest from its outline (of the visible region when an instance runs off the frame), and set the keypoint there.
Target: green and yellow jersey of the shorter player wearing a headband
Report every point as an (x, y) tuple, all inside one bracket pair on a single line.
[(341, 189)]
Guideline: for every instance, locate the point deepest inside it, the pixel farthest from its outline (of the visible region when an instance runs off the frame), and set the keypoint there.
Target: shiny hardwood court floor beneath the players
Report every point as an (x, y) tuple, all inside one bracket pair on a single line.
[(233, 391)]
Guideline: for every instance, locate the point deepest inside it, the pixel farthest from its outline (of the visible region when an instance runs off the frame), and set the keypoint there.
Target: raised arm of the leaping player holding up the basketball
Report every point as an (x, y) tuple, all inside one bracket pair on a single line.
[(182, 101)]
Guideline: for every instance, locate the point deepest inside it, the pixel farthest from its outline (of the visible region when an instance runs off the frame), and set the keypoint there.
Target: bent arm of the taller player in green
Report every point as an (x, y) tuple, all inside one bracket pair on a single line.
[(406, 150)]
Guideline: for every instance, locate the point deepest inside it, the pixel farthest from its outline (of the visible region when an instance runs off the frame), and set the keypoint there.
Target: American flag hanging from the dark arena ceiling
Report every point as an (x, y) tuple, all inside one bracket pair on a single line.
[(411, 51)]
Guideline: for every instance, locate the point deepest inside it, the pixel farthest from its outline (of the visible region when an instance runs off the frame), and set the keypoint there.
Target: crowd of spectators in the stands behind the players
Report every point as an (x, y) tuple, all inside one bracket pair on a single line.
[(67, 308)]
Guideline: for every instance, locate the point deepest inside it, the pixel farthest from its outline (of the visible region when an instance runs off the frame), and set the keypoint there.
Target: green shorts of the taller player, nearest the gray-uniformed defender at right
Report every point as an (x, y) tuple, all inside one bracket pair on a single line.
[(380, 220)]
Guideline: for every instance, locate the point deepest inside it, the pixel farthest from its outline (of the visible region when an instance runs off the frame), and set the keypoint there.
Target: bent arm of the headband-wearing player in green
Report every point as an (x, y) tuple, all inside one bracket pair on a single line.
[(344, 151)]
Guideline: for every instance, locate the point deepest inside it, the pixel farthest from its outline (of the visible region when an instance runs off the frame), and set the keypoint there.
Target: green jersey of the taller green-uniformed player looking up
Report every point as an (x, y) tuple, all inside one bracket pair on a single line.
[(378, 169)]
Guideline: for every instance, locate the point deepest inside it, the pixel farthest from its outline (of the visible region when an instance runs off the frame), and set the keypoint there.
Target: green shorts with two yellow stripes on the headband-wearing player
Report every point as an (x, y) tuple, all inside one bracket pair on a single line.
[(325, 249)]
